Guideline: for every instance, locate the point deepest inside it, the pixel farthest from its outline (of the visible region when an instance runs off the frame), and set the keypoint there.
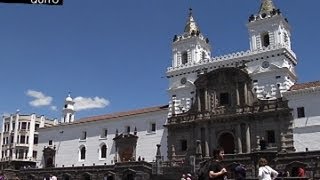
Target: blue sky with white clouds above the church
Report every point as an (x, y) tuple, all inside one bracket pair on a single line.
[(112, 56)]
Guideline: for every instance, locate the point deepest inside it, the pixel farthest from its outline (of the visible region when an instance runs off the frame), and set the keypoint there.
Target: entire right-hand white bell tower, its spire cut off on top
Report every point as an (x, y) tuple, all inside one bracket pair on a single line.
[(272, 63)]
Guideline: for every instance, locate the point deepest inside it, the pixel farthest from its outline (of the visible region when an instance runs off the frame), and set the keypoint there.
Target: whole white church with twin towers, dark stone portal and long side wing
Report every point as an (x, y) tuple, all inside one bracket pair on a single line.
[(249, 98)]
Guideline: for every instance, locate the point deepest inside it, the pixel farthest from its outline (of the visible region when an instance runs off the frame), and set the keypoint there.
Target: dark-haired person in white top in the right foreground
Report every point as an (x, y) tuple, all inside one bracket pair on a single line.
[(265, 171)]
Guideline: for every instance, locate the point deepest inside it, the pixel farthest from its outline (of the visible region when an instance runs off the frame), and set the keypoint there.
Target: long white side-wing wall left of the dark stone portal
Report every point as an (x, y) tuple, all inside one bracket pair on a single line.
[(67, 142)]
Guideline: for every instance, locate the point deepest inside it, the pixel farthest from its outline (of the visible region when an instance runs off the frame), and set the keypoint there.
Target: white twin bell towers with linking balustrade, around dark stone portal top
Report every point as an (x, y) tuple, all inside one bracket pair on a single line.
[(270, 61)]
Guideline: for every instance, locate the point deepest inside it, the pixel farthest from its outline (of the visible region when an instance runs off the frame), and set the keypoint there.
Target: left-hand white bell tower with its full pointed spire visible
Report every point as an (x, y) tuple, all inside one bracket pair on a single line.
[(189, 50)]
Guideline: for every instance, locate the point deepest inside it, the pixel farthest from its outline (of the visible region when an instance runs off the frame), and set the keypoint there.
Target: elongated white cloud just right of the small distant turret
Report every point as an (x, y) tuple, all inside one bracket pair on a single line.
[(83, 103)]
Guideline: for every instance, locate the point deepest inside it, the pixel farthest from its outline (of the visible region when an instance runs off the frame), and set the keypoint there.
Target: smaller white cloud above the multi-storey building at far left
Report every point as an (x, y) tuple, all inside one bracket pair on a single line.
[(40, 98)]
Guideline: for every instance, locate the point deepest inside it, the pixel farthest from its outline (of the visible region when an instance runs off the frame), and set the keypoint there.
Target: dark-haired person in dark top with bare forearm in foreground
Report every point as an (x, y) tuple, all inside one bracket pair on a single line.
[(216, 170)]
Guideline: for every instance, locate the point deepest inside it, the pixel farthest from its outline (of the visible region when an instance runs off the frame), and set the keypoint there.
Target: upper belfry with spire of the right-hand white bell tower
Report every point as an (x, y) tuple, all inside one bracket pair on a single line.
[(268, 28)]
